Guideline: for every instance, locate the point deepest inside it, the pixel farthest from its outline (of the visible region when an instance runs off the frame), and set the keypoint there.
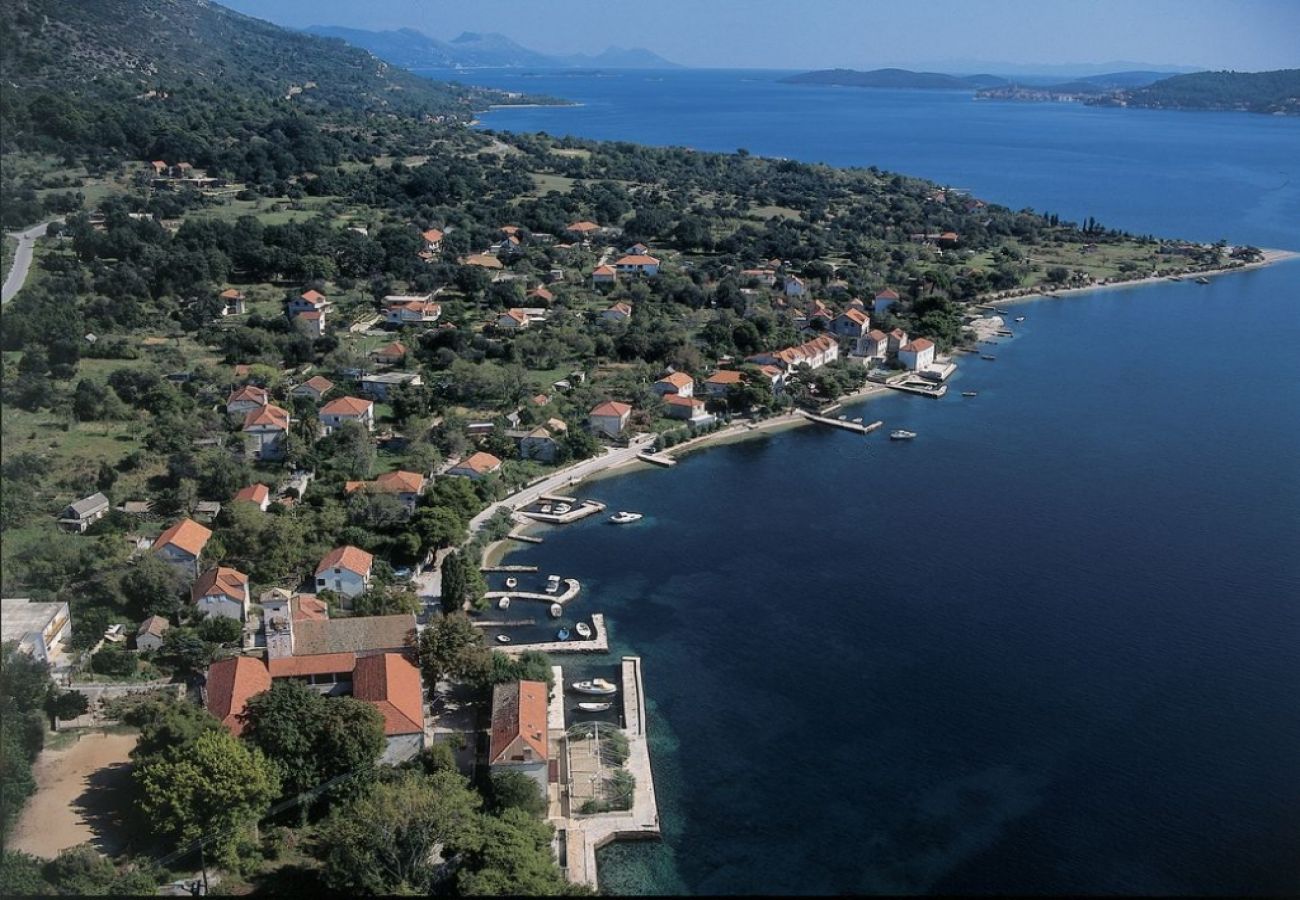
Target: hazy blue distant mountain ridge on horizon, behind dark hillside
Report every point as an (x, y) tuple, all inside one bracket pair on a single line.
[(473, 50)]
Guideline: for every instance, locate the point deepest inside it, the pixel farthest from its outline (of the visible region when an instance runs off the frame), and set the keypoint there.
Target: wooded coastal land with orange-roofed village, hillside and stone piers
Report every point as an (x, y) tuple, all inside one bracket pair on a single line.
[(293, 357)]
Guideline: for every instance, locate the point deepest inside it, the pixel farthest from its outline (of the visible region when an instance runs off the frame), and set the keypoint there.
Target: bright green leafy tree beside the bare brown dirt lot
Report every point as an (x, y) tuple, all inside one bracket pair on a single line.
[(214, 786)]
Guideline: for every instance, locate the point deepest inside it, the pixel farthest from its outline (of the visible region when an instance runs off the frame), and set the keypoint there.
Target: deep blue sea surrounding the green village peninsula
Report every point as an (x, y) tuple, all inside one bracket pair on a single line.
[(1052, 646)]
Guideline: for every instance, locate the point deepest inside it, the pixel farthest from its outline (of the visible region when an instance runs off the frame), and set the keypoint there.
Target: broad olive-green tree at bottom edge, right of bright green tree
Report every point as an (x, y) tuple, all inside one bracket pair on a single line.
[(384, 841)]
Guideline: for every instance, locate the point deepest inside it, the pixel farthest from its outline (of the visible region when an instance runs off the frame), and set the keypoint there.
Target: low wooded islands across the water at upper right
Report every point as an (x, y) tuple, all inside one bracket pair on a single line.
[(1276, 93)]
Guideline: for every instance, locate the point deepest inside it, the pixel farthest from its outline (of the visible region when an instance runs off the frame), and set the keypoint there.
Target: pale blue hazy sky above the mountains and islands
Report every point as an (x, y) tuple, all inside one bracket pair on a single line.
[(952, 36)]
